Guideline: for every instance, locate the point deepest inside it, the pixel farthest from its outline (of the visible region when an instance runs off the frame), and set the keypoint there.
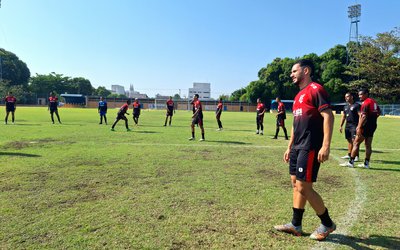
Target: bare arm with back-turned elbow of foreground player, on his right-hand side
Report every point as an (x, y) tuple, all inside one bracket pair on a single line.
[(329, 119)]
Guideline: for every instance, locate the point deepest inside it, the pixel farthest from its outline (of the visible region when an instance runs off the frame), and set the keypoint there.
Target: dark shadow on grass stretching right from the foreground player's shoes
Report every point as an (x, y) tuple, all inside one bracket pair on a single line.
[(372, 242)]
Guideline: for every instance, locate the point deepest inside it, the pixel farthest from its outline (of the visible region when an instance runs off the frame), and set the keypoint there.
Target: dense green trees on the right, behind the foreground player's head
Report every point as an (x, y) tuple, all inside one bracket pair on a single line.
[(373, 63)]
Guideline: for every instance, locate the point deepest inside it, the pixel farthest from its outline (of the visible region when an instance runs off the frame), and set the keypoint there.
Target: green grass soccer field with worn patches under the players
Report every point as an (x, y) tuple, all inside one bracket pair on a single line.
[(80, 185)]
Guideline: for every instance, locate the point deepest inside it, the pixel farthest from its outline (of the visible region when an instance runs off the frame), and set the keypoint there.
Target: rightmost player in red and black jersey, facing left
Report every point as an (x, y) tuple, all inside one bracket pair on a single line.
[(366, 127)]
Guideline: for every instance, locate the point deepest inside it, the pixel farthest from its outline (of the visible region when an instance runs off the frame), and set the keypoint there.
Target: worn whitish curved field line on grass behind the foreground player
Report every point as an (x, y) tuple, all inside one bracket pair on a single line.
[(339, 237)]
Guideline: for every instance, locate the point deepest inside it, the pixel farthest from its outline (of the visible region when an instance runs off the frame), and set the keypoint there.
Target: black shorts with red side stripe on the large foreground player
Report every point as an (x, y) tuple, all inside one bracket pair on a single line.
[(304, 164)]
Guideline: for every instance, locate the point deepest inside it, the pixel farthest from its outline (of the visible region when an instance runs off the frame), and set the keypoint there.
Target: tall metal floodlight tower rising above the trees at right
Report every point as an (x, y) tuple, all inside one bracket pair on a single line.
[(354, 12)]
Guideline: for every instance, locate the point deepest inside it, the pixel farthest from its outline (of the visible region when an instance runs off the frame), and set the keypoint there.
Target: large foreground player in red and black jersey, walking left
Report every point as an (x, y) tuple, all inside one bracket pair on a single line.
[(309, 146)]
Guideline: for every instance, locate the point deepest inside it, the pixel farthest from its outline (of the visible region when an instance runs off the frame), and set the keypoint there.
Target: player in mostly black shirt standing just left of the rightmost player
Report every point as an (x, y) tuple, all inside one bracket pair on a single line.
[(350, 115)]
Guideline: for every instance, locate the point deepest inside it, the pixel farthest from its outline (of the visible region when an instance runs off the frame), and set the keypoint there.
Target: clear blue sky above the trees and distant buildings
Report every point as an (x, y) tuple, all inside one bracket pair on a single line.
[(163, 46)]
